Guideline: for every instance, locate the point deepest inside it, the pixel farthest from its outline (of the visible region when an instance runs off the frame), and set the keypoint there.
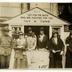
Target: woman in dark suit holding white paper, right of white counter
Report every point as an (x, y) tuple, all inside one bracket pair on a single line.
[(56, 47)]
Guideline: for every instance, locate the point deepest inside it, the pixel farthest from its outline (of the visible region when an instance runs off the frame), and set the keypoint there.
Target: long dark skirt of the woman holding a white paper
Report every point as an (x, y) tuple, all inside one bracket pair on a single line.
[(55, 60)]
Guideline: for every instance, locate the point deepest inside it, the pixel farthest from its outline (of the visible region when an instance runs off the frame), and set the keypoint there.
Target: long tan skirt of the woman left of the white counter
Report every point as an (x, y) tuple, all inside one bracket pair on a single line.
[(20, 60)]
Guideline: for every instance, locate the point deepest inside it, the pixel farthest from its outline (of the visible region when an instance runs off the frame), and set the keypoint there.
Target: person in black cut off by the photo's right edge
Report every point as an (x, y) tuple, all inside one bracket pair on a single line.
[(69, 51)]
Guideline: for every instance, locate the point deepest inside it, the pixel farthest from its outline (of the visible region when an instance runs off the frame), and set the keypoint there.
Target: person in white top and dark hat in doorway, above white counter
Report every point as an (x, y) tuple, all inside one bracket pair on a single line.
[(31, 39)]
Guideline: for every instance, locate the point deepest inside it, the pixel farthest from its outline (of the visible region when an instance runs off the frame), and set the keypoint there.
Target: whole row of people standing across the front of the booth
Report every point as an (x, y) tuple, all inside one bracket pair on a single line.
[(25, 44)]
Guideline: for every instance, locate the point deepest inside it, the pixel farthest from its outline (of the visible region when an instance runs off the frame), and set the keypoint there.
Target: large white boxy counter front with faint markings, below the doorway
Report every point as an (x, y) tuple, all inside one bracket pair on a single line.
[(38, 59)]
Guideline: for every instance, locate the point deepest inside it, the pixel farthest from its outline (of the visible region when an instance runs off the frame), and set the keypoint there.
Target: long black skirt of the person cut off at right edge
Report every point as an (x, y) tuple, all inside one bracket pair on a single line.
[(68, 59)]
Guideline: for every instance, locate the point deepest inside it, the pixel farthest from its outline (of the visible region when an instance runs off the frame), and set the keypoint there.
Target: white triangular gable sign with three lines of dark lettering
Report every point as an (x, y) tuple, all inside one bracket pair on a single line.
[(37, 16)]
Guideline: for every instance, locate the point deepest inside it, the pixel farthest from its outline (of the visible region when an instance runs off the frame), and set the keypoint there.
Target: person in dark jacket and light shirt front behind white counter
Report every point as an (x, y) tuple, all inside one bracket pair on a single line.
[(42, 40)]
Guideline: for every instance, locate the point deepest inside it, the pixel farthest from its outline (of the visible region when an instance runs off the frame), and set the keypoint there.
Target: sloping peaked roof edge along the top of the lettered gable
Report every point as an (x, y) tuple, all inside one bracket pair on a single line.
[(42, 10)]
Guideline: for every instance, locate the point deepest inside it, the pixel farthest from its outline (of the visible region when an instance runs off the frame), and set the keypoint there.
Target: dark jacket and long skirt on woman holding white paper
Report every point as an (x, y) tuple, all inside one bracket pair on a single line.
[(55, 58)]
